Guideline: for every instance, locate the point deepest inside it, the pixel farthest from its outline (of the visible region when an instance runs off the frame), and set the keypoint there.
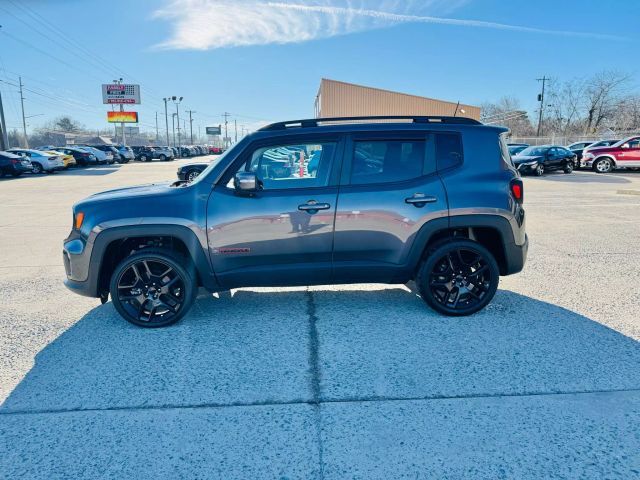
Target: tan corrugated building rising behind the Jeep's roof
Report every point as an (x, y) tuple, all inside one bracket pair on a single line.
[(342, 99)]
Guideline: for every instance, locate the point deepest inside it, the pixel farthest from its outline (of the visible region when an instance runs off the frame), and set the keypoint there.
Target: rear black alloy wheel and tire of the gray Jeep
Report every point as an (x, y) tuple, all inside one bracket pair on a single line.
[(460, 277)]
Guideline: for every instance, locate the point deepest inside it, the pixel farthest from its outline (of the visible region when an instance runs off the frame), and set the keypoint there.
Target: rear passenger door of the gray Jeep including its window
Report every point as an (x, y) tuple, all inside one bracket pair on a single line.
[(389, 189)]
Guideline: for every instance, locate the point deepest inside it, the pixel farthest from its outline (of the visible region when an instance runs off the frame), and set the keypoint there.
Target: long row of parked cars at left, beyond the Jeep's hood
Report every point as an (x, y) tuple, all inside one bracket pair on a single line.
[(50, 158)]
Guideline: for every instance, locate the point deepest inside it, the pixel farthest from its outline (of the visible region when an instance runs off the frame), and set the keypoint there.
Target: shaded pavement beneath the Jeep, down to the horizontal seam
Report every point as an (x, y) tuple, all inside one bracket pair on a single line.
[(258, 347)]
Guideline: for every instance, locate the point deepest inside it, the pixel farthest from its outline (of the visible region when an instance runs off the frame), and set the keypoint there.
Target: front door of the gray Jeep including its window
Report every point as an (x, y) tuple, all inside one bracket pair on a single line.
[(283, 233)]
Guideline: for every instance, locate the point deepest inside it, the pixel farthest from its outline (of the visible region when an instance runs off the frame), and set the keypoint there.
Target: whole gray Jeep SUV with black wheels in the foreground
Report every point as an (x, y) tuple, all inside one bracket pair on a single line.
[(436, 200)]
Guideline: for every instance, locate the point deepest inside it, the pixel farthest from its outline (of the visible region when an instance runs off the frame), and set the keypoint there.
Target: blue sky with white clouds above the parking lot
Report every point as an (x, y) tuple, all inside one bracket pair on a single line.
[(263, 61)]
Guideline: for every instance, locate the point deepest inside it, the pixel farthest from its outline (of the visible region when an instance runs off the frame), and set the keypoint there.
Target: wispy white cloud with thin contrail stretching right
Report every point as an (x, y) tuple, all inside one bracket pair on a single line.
[(209, 24)]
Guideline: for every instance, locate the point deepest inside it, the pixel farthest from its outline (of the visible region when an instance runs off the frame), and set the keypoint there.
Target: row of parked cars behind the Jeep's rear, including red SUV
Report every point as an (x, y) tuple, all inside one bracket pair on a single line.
[(602, 156)]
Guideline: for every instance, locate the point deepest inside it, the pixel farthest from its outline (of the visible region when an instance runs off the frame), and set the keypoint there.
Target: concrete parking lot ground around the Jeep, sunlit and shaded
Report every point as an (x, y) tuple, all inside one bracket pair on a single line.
[(359, 381)]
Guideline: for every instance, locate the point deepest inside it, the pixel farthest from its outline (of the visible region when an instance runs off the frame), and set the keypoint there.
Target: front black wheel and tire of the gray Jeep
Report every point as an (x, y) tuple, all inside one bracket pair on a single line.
[(153, 288)]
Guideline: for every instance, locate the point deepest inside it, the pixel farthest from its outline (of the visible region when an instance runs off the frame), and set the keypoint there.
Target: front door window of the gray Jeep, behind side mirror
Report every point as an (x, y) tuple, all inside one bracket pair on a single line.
[(305, 165)]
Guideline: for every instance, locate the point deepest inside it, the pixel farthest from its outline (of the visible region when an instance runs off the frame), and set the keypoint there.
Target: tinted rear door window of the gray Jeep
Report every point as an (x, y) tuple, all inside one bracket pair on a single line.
[(386, 161)]
